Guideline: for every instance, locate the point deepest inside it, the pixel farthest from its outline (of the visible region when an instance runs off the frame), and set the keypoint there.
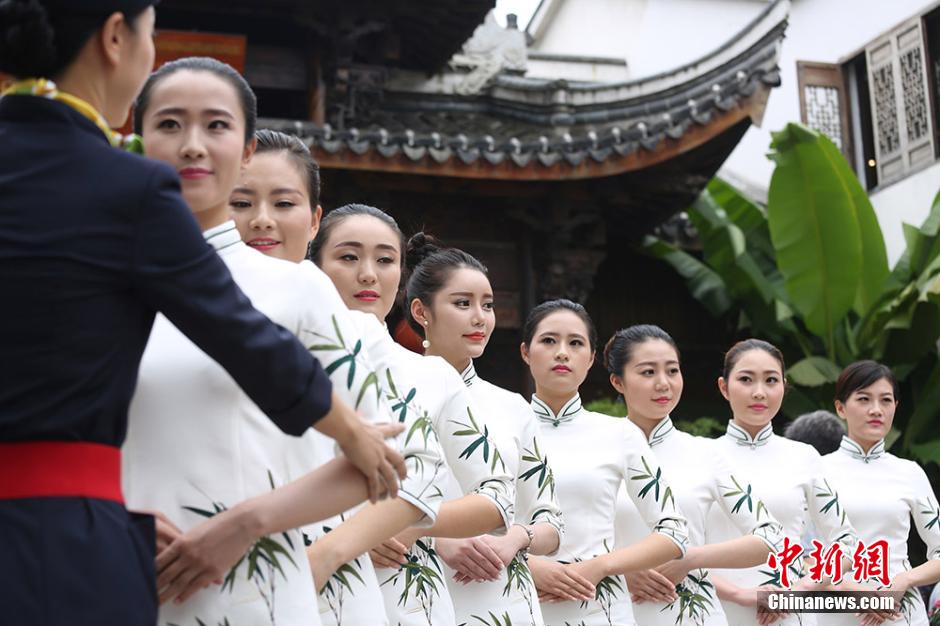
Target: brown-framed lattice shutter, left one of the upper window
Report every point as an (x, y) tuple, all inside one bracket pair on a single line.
[(823, 103)]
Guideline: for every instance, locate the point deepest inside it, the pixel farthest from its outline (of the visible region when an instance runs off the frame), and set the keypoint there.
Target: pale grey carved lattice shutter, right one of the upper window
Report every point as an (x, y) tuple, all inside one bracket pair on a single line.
[(903, 126)]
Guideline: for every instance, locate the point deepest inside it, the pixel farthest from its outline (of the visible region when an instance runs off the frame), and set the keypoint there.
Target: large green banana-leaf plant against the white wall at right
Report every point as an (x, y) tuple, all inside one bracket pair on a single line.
[(810, 274)]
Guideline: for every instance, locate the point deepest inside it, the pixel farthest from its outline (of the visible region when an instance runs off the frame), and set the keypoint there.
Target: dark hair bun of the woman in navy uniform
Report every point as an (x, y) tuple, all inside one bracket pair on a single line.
[(27, 40)]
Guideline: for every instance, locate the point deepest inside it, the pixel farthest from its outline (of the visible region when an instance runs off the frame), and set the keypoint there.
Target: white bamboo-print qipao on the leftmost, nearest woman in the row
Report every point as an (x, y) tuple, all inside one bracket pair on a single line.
[(197, 444)]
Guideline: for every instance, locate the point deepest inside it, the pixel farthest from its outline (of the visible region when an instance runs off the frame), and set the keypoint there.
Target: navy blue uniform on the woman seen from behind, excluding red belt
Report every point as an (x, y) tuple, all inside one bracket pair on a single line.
[(93, 242)]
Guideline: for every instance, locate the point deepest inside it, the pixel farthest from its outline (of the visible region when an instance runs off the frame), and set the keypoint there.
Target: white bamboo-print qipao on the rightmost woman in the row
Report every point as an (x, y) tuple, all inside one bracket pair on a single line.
[(882, 493)]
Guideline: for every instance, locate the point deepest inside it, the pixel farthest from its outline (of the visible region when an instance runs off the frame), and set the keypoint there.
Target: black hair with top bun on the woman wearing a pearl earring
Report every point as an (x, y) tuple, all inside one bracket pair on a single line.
[(430, 265)]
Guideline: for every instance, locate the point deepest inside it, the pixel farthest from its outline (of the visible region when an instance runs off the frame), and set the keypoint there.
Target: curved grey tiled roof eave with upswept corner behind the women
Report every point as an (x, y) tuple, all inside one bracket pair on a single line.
[(520, 125)]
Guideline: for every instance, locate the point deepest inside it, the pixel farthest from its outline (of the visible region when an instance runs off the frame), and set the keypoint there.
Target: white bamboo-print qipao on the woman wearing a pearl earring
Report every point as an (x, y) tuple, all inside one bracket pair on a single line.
[(512, 600)]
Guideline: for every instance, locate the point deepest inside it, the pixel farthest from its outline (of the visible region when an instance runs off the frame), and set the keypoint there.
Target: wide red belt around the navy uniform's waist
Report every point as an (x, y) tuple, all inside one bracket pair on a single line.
[(39, 469)]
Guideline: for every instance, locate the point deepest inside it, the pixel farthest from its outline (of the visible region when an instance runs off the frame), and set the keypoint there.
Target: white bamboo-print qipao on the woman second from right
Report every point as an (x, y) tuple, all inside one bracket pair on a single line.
[(791, 481)]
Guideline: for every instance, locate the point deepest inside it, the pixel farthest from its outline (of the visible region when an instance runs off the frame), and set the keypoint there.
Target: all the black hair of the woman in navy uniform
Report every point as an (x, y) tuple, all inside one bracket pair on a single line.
[(39, 41)]
